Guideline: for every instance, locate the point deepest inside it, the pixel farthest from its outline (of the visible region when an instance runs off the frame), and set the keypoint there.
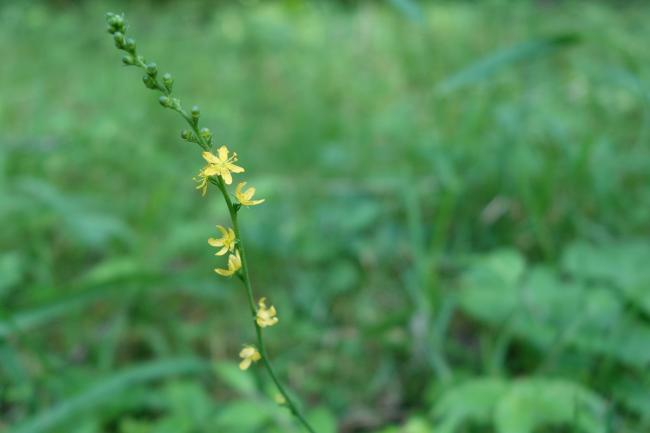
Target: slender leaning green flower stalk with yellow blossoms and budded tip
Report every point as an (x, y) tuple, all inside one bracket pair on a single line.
[(217, 171)]
